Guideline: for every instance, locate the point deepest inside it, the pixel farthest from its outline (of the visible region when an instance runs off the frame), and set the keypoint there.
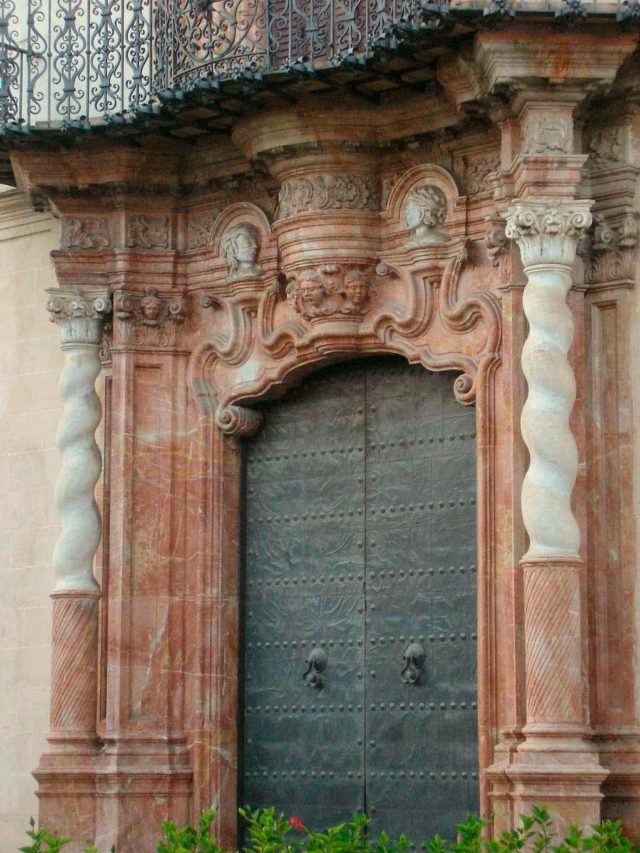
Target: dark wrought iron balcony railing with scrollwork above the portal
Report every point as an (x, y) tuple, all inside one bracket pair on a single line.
[(81, 63)]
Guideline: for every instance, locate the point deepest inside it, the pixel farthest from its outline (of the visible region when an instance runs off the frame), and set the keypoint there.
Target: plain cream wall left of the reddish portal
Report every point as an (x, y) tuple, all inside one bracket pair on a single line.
[(30, 363)]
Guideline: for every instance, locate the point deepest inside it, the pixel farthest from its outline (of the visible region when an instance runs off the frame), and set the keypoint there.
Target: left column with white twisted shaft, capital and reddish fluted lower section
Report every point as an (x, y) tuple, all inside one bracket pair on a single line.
[(80, 318)]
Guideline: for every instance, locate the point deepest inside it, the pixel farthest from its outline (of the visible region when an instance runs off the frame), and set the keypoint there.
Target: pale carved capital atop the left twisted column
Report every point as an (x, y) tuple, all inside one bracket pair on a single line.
[(80, 315)]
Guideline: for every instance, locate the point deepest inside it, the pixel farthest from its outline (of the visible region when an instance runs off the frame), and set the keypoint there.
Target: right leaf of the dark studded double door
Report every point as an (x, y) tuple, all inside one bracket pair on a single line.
[(420, 509)]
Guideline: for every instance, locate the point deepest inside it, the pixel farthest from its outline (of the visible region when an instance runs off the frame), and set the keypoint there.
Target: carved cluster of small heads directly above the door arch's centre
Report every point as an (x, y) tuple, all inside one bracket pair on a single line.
[(330, 292)]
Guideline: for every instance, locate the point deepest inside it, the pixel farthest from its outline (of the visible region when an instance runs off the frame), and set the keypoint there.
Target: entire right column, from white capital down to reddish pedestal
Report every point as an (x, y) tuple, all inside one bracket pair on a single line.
[(555, 758)]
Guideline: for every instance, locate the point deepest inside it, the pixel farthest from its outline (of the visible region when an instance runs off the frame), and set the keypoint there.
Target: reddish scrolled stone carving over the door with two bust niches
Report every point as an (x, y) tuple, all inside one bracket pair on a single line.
[(260, 331)]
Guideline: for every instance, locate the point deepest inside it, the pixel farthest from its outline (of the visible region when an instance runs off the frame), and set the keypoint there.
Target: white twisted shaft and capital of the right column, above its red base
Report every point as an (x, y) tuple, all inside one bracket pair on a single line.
[(547, 235)]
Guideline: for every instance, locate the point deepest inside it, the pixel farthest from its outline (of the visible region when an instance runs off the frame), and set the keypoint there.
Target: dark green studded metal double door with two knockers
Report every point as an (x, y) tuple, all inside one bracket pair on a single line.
[(360, 602)]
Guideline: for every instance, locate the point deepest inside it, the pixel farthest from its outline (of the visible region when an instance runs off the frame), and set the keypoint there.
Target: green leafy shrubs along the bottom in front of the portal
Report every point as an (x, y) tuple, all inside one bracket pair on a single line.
[(271, 832)]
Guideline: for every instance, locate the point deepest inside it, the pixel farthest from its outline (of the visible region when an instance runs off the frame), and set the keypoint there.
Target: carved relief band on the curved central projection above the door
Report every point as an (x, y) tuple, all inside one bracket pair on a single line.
[(329, 192)]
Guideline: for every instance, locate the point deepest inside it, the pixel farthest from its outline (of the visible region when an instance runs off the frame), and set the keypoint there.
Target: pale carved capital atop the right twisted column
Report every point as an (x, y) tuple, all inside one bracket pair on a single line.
[(547, 232)]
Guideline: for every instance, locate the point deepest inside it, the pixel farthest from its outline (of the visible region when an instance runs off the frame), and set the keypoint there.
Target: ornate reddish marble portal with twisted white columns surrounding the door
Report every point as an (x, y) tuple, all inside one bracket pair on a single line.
[(434, 227)]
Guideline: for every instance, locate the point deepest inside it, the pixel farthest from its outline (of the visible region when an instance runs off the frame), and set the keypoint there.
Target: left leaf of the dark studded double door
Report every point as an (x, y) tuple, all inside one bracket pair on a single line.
[(304, 589)]
